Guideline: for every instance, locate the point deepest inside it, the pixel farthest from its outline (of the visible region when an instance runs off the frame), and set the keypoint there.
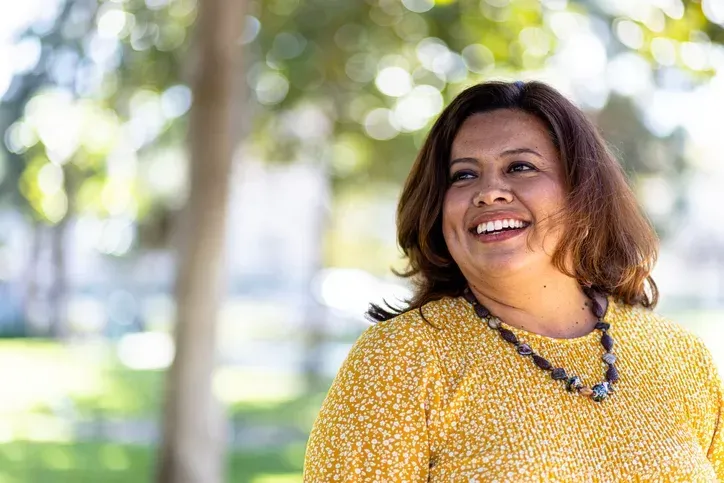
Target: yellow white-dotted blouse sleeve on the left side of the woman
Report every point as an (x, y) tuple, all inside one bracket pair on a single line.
[(373, 424)]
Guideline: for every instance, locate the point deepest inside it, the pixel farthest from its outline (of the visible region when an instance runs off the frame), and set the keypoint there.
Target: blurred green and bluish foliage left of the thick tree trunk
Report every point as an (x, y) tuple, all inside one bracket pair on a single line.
[(90, 130)]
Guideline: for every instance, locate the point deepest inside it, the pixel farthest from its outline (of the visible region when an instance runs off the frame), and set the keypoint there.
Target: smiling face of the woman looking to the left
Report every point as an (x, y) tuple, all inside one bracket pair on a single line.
[(505, 180)]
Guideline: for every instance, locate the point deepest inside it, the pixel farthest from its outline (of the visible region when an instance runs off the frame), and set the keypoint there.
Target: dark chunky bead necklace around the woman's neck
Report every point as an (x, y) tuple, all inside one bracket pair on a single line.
[(573, 383)]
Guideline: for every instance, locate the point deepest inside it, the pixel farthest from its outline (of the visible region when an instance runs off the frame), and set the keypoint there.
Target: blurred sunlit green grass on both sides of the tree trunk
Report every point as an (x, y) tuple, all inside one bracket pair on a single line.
[(46, 384)]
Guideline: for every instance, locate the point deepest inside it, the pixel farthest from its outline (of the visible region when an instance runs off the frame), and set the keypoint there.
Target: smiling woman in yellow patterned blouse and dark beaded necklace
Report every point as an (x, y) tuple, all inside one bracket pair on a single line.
[(531, 258)]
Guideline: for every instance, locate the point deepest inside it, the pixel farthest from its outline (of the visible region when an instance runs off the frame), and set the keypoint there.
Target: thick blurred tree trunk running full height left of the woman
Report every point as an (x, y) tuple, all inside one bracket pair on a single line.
[(193, 434)]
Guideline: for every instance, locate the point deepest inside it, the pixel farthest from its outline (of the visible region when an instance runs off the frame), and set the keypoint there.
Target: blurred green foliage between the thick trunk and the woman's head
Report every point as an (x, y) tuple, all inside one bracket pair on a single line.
[(326, 55)]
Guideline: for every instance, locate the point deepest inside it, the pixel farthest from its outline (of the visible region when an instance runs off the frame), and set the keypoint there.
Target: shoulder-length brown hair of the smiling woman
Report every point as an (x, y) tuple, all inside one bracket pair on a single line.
[(612, 245)]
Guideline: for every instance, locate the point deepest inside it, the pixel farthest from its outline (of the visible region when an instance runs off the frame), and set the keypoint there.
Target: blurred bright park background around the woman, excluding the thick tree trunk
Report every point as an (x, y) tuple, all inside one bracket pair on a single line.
[(336, 98)]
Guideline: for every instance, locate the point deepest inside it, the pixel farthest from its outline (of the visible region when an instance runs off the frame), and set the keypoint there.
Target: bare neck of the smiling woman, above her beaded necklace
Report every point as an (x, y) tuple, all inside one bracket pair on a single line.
[(550, 304)]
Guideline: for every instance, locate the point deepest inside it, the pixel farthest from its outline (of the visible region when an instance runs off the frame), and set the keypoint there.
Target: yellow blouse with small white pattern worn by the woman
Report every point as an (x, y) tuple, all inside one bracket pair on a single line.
[(455, 402)]
